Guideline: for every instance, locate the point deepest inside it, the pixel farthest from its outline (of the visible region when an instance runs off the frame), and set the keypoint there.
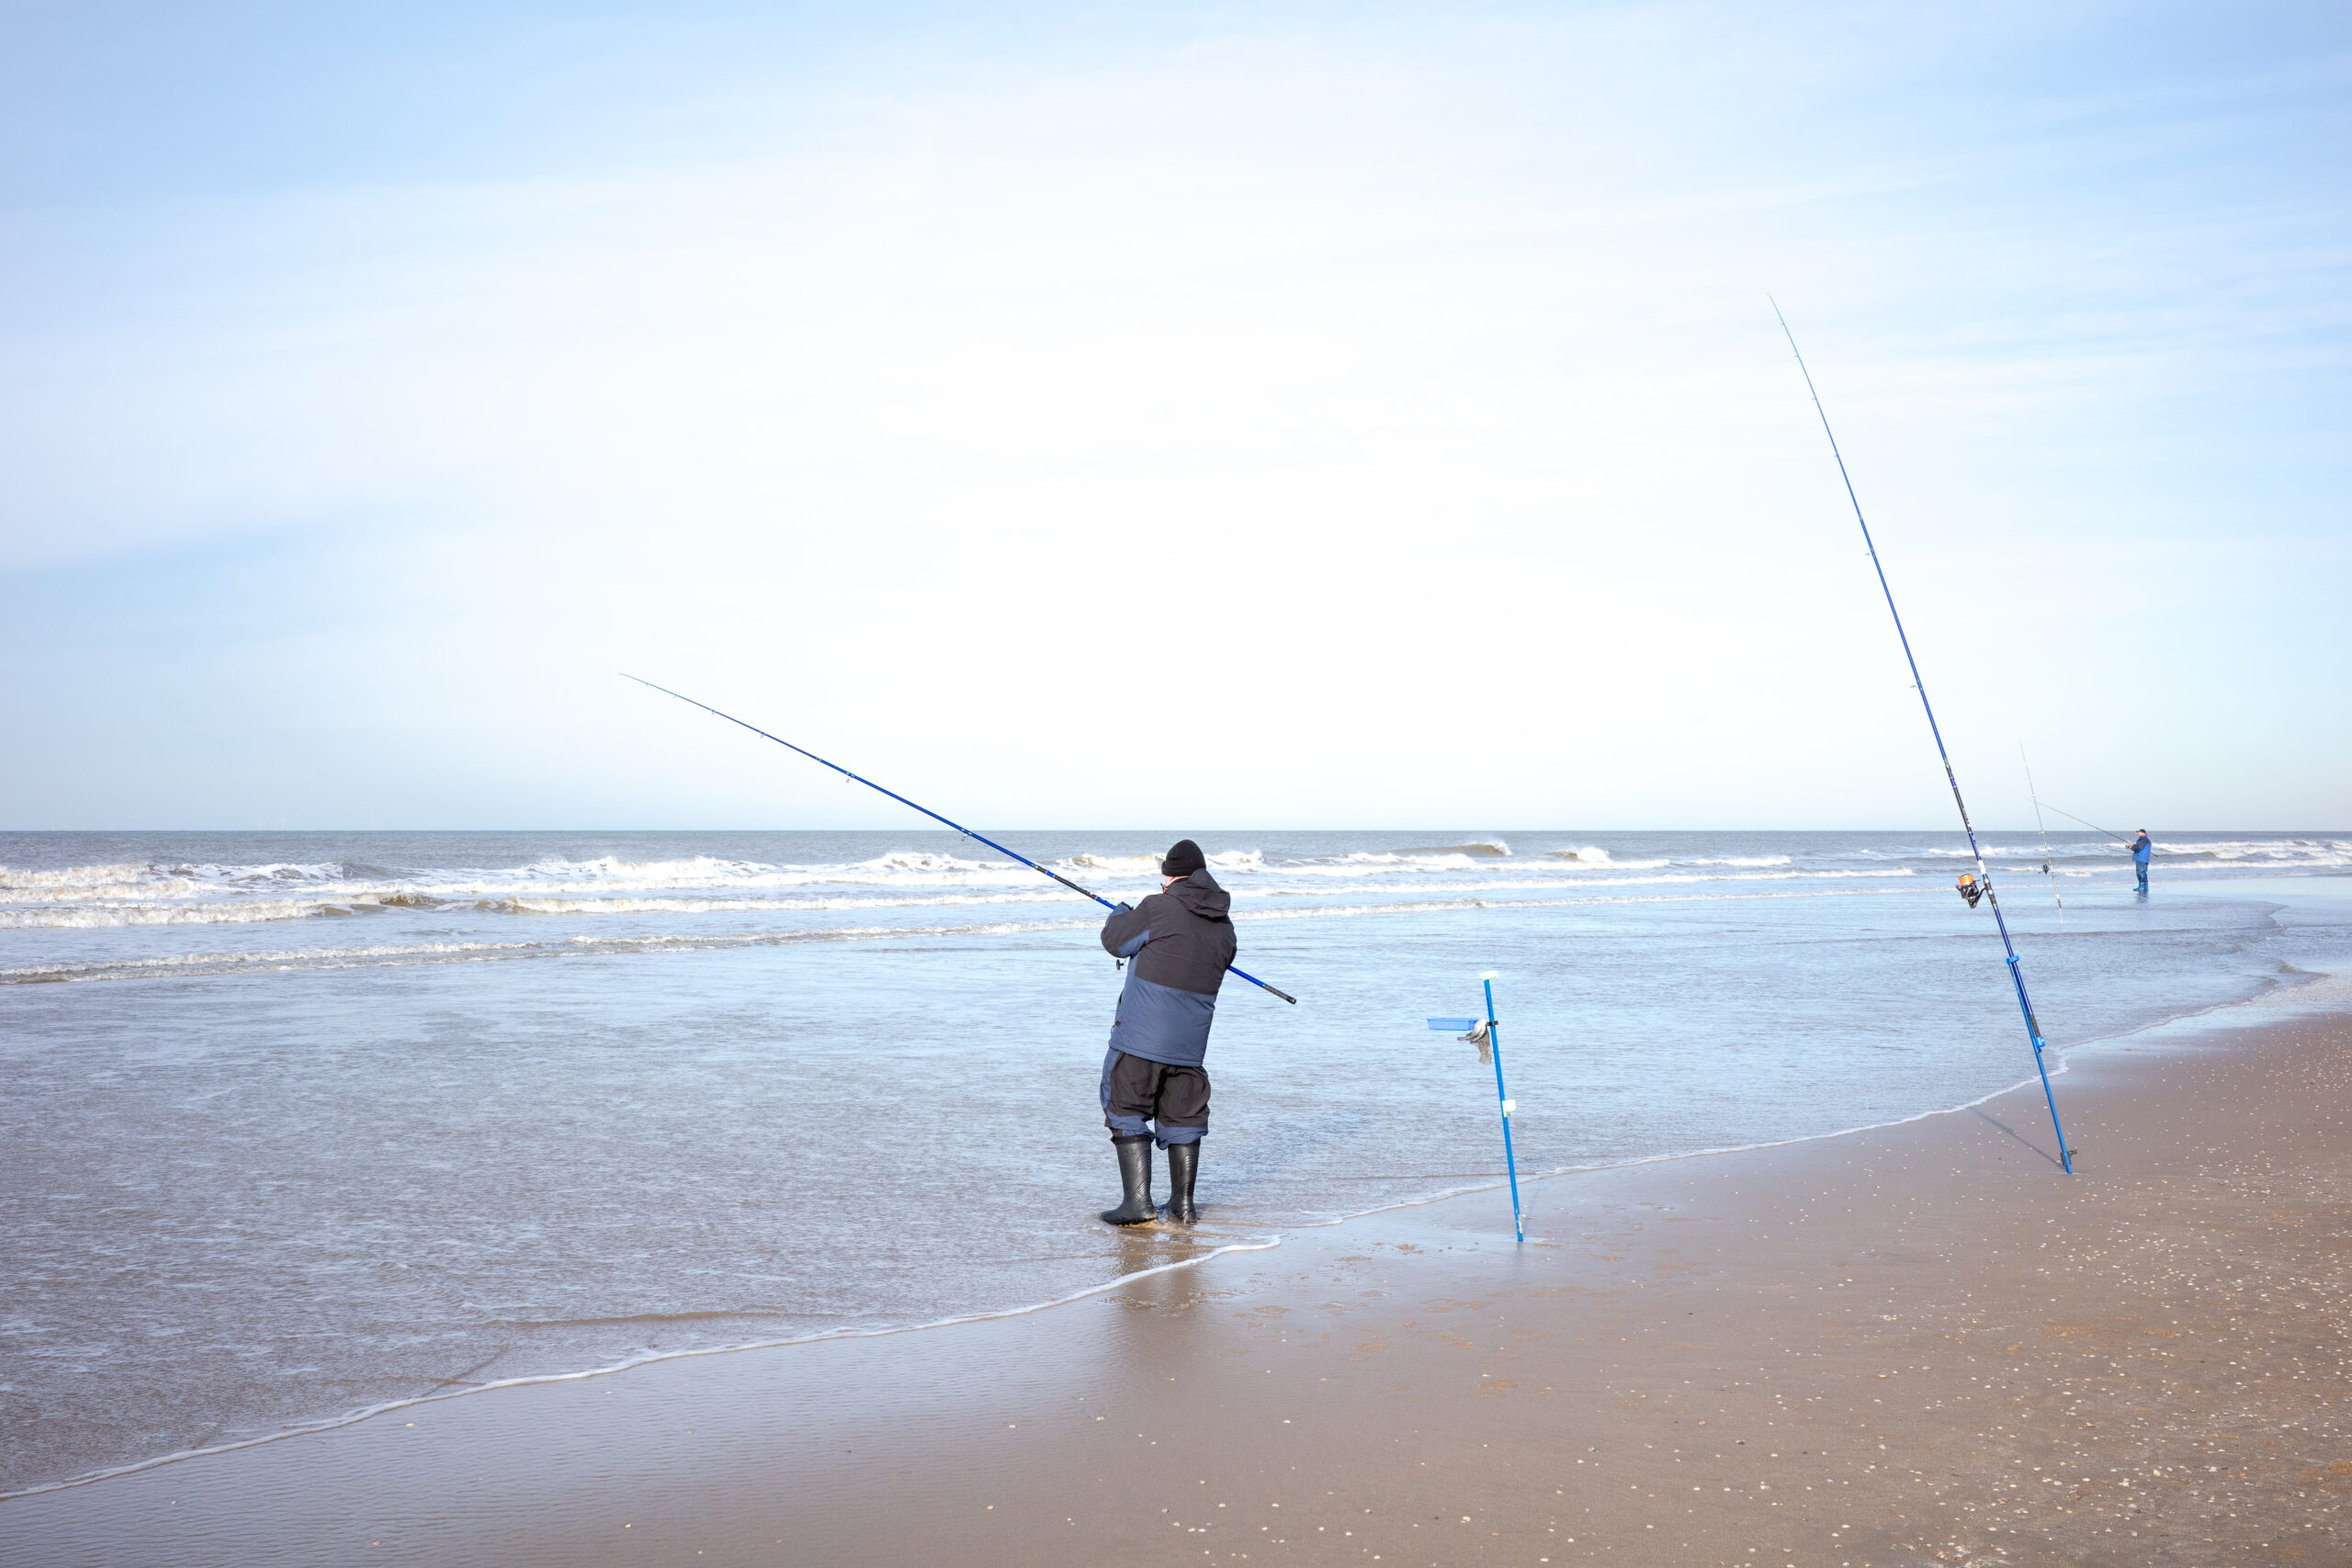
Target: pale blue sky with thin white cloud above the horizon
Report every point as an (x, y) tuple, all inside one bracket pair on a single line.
[(1205, 417)]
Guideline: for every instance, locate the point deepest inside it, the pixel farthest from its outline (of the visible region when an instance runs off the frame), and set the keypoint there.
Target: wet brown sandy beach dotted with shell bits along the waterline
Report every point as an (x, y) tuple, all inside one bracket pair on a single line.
[(1911, 1346)]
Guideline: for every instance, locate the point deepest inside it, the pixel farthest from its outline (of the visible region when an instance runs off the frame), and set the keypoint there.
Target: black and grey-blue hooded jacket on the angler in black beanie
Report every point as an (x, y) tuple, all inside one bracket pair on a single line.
[(1180, 946)]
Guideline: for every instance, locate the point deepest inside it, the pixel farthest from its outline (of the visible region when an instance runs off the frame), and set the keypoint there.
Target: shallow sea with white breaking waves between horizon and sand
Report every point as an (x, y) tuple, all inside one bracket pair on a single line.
[(307, 1125)]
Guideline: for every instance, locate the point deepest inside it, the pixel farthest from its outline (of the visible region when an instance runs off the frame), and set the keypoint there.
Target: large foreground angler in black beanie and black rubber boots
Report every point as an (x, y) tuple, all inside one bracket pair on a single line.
[(1156, 1090)]
